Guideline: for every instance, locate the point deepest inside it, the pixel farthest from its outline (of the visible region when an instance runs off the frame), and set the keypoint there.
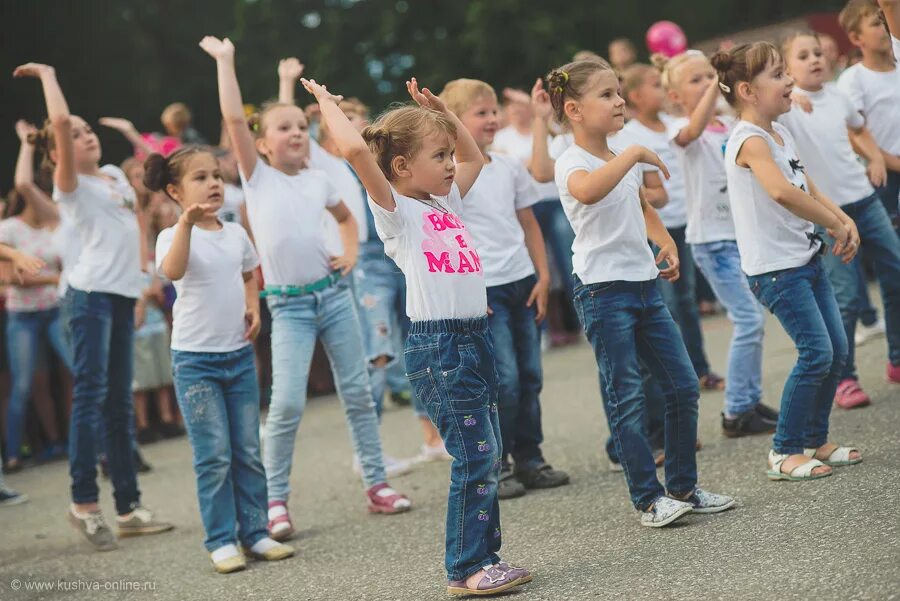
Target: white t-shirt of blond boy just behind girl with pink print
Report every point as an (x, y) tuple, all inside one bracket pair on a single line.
[(503, 187)]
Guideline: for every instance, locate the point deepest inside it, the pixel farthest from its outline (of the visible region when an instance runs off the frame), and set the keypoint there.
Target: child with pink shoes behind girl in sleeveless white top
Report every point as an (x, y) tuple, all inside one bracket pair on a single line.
[(825, 149)]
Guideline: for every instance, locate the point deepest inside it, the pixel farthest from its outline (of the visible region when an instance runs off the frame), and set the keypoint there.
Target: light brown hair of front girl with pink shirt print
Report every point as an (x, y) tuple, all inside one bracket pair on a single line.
[(399, 132)]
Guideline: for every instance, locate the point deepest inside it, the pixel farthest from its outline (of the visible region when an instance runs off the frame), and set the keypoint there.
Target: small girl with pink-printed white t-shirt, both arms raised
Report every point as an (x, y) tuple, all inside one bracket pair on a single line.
[(406, 162)]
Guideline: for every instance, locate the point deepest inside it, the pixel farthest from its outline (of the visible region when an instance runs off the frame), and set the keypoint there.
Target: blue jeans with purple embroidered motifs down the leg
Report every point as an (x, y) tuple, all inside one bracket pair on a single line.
[(451, 370)]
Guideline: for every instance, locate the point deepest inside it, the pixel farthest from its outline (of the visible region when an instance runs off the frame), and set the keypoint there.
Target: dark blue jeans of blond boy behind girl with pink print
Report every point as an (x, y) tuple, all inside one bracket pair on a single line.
[(517, 351)]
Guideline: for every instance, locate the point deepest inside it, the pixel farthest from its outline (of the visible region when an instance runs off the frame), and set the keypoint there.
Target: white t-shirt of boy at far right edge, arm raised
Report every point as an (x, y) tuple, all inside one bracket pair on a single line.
[(877, 96)]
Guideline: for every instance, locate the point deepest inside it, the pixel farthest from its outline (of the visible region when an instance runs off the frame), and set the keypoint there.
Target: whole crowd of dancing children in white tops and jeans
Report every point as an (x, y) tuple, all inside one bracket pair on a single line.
[(422, 243)]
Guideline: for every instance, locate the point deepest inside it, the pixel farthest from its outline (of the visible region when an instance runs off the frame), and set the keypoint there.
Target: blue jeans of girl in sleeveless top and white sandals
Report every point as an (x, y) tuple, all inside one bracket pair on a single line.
[(803, 301)]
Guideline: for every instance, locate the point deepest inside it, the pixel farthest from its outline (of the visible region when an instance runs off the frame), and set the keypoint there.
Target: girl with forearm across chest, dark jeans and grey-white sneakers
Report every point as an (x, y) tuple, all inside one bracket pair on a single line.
[(617, 298)]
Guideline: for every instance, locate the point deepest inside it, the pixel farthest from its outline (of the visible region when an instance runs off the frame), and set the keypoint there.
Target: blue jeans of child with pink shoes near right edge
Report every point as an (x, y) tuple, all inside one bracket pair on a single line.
[(883, 247)]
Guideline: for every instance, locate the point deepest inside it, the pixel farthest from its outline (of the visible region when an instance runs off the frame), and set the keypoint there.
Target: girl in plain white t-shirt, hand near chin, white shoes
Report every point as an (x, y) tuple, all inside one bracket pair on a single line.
[(211, 264)]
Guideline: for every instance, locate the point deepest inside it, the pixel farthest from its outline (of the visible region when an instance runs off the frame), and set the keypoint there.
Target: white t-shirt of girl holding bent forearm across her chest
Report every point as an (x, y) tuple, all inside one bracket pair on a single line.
[(610, 235)]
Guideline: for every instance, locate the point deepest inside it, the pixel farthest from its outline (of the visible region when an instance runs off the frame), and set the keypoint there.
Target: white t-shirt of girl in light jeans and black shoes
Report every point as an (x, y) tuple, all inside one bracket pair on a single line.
[(706, 186)]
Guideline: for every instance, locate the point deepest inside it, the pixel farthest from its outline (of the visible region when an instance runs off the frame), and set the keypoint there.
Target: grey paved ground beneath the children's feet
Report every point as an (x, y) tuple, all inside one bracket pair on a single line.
[(837, 538)]
